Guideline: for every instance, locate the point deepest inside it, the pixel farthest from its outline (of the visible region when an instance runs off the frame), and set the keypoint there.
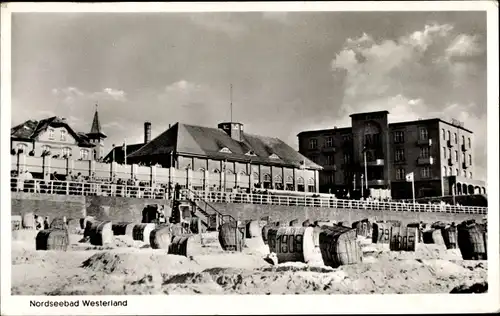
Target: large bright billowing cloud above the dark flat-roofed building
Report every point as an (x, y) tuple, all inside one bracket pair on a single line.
[(416, 76)]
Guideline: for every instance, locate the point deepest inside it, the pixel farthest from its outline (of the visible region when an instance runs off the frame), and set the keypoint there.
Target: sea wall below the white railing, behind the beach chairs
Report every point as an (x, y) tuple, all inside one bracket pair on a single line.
[(130, 210)]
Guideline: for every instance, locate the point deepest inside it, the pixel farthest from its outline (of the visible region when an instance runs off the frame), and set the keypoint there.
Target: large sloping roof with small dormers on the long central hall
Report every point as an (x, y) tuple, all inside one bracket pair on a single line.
[(201, 141)]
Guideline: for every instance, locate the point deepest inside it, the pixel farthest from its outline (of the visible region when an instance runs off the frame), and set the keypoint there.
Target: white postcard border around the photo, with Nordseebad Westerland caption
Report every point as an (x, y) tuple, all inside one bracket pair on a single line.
[(252, 304)]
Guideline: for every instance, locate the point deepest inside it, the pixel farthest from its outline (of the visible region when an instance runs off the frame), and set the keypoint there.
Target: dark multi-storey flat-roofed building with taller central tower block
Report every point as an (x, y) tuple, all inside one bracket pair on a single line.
[(438, 153)]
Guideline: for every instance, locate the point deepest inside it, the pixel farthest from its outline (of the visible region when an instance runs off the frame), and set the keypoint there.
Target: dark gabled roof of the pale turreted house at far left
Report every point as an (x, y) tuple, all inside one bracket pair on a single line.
[(31, 129)]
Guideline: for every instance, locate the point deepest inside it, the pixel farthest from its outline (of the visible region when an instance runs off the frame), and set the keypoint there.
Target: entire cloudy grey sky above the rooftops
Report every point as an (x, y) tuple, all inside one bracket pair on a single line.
[(290, 71)]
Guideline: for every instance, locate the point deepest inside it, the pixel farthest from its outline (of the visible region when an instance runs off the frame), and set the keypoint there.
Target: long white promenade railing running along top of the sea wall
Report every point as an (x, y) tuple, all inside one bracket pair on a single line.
[(287, 198)]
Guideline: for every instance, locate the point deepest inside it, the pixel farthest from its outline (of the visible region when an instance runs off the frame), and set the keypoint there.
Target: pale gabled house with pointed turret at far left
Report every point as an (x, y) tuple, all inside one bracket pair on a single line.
[(54, 136)]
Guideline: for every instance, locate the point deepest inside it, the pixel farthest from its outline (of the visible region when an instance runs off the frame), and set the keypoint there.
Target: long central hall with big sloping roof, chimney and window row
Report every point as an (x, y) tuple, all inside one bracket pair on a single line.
[(269, 162)]
